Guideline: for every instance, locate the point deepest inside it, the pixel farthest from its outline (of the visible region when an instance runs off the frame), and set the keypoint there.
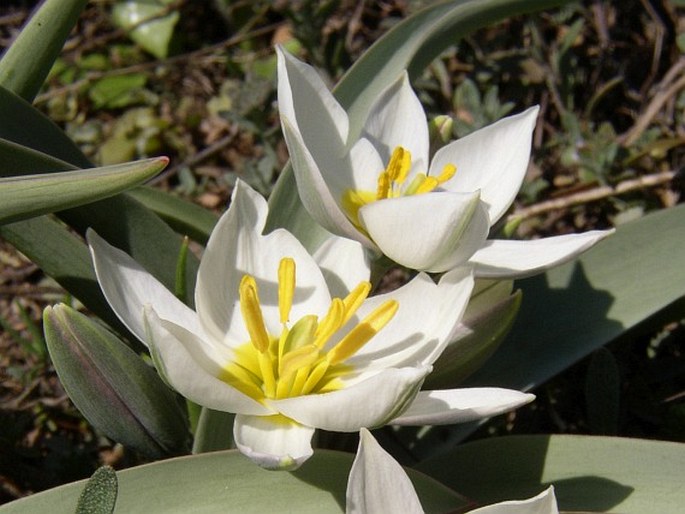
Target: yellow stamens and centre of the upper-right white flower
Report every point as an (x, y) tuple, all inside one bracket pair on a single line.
[(391, 184)]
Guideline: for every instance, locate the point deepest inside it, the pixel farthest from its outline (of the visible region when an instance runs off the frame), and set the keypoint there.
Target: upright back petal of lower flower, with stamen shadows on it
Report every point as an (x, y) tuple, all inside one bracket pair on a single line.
[(235, 248)]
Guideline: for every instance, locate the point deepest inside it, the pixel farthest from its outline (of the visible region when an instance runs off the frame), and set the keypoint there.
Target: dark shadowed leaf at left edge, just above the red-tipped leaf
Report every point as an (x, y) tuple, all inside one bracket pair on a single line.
[(25, 125)]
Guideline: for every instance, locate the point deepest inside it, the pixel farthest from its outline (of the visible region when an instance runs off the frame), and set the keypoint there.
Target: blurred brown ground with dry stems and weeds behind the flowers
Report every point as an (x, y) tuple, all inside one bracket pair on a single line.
[(196, 81)]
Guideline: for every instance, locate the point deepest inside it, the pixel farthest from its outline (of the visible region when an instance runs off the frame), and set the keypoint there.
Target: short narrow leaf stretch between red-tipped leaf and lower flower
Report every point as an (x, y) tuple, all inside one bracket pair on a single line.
[(184, 217)]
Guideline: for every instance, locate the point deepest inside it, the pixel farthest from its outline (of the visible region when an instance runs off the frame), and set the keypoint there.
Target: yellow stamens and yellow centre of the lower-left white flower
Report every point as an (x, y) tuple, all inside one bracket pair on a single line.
[(296, 361)]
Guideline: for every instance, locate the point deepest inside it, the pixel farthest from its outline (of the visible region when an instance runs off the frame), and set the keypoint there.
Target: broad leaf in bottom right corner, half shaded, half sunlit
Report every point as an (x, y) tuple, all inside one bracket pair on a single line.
[(589, 473)]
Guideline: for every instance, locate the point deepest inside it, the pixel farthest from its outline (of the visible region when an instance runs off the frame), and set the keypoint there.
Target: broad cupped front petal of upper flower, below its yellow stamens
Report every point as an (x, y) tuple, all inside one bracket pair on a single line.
[(431, 232)]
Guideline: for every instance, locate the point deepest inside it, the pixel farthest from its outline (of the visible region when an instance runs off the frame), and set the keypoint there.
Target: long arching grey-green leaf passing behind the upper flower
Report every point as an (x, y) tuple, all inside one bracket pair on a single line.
[(412, 45)]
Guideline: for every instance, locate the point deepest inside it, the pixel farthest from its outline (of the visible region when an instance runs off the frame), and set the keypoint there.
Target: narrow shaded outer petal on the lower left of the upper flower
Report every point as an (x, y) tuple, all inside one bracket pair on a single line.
[(316, 192)]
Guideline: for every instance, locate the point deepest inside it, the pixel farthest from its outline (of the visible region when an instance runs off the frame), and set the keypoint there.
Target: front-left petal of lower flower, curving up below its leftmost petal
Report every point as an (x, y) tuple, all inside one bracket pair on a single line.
[(188, 364)]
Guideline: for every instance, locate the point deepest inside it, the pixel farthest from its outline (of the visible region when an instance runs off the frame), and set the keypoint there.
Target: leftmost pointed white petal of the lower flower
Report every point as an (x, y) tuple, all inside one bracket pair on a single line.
[(128, 288)]
